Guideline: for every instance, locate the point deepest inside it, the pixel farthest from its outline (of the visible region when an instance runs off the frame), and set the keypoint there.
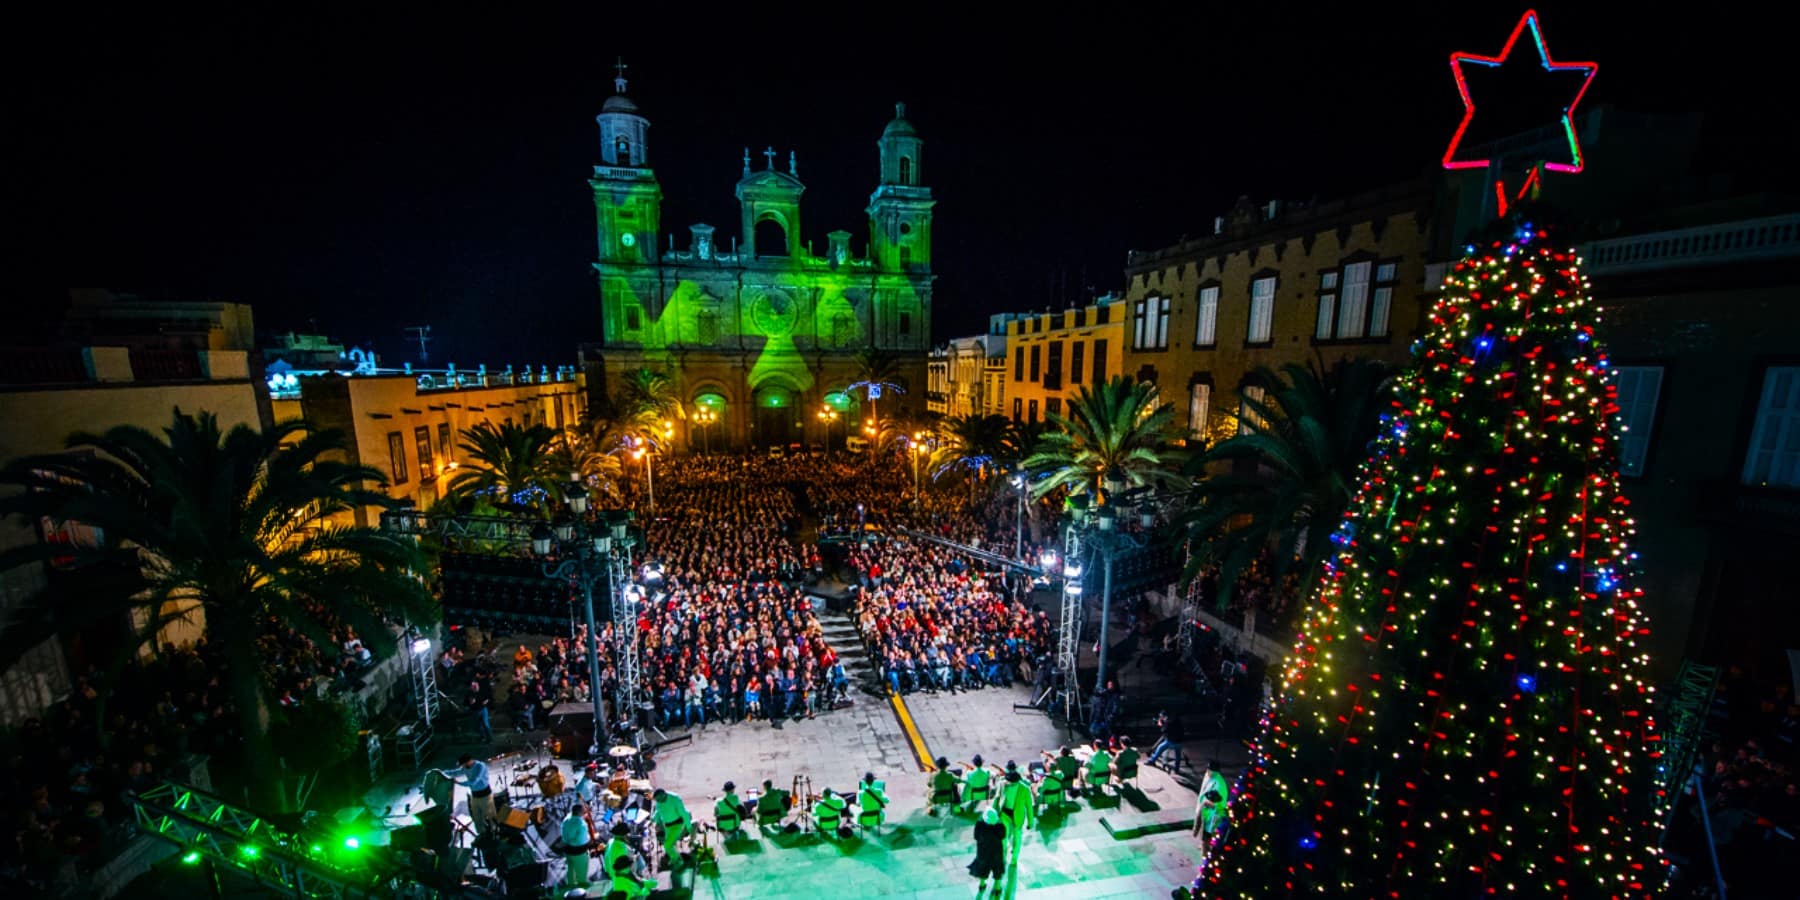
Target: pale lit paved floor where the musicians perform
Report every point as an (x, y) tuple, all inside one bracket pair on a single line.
[(1137, 847)]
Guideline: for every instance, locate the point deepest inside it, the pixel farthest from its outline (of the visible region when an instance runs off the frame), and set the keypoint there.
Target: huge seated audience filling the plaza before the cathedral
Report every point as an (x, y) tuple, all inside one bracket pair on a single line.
[(726, 633)]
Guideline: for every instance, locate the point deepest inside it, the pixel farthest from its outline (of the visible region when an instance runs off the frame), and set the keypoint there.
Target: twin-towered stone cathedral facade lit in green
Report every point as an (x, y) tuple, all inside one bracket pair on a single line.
[(751, 325)]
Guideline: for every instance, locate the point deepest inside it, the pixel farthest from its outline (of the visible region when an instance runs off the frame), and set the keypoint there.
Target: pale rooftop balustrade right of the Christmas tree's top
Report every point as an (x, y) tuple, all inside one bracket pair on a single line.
[(1732, 242)]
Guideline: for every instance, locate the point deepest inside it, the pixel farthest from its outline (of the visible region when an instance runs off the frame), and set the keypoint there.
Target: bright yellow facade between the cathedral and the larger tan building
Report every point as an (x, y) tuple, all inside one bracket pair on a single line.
[(1050, 357)]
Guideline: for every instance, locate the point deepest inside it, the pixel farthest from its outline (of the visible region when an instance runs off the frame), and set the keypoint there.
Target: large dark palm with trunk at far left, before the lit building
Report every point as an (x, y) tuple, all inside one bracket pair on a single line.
[(231, 528)]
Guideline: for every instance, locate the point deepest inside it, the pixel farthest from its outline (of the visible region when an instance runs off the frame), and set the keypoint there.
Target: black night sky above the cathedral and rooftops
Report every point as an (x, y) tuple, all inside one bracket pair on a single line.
[(373, 174)]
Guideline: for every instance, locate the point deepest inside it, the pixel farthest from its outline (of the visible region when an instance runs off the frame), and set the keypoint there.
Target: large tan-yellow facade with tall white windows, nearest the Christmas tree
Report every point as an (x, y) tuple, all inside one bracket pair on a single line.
[(1273, 287)]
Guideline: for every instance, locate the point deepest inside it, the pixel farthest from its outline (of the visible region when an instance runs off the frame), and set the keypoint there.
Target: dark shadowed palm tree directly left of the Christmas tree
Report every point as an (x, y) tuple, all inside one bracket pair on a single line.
[(1282, 487)]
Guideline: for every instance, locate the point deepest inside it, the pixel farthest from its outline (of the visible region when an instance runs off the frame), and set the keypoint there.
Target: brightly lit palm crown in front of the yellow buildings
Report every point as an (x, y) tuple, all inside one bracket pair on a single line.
[(1115, 431)]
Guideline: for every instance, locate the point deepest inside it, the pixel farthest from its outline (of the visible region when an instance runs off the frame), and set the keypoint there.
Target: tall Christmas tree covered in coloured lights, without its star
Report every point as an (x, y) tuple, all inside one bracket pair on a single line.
[(1466, 708)]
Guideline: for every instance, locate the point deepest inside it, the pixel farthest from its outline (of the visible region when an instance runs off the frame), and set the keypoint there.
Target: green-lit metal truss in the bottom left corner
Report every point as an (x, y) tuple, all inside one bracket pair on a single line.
[(202, 825)]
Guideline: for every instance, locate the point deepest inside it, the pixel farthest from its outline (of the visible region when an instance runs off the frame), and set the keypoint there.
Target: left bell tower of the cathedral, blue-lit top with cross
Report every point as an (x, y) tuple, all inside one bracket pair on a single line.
[(627, 197)]
